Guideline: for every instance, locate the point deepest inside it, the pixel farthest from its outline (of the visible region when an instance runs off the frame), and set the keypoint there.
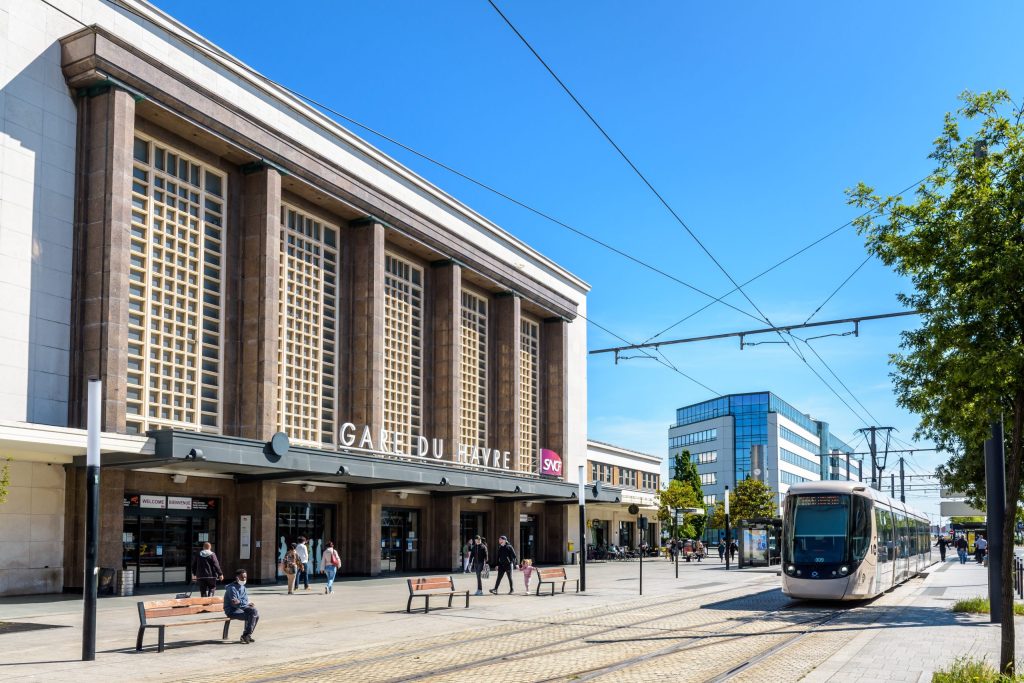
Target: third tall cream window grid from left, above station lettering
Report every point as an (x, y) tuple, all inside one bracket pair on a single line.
[(403, 350)]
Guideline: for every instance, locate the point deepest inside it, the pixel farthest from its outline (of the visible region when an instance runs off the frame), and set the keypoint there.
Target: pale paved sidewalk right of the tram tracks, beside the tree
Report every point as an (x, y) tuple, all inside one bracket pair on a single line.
[(920, 634)]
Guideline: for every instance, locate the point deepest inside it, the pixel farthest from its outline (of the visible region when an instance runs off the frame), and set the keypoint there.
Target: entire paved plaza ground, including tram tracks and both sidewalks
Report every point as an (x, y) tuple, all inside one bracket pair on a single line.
[(708, 625)]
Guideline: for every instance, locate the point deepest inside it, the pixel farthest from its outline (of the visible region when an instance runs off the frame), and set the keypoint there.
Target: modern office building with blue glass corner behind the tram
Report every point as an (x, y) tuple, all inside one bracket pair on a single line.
[(757, 436)]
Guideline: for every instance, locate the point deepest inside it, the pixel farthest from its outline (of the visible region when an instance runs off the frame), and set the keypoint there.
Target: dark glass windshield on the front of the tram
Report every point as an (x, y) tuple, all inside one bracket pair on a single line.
[(827, 529)]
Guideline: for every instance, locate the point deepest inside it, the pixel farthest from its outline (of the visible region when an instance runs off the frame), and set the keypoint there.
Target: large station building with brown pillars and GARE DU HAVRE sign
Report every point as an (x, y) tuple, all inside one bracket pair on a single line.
[(296, 335)]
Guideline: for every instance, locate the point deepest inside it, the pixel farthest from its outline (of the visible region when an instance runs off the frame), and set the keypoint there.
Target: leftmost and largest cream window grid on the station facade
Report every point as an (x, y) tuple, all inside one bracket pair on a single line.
[(175, 291)]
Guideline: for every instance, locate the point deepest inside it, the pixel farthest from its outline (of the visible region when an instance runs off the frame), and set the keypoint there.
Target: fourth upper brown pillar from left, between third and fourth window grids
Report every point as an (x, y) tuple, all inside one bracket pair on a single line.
[(447, 320)]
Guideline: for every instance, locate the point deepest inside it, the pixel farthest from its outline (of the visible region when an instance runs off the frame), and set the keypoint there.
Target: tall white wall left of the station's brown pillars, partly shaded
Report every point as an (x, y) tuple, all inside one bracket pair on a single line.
[(37, 184)]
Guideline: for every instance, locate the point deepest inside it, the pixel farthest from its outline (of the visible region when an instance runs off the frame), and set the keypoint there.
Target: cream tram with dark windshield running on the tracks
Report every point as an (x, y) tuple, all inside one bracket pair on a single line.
[(845, 541)]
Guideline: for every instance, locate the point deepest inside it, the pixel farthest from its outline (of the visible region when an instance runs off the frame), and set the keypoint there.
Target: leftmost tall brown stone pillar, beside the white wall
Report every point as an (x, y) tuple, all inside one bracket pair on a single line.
[(103, 220)]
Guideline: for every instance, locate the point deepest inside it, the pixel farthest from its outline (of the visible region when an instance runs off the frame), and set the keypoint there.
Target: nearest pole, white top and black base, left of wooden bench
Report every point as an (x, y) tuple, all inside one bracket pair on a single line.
[(92, 522)]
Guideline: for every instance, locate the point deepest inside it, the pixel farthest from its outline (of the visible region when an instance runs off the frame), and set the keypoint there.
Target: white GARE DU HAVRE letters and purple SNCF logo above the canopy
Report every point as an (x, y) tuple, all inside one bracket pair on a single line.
[(405, 446)]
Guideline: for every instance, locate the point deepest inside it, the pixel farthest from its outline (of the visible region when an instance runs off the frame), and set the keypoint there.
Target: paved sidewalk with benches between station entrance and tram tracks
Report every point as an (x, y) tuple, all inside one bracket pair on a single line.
[(361, 614)]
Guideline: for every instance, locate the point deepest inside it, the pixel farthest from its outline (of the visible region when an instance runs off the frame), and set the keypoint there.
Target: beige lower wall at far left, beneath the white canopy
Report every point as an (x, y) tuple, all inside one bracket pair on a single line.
[(32, 530)]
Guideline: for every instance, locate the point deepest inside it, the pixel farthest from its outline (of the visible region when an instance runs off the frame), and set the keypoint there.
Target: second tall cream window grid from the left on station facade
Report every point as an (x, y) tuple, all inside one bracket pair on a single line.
[(308, 315)]
